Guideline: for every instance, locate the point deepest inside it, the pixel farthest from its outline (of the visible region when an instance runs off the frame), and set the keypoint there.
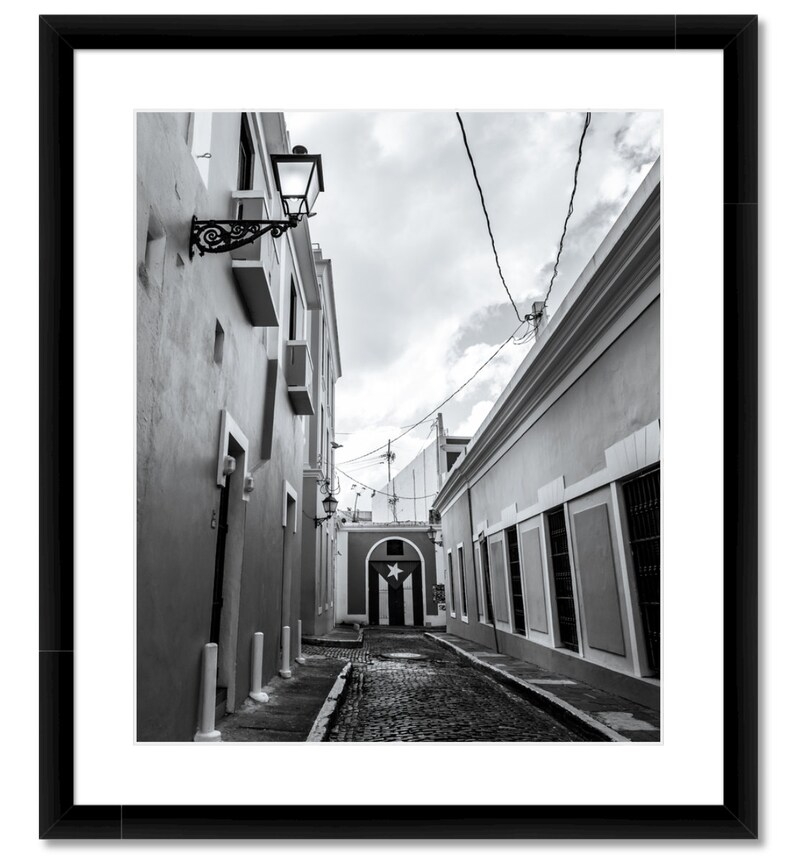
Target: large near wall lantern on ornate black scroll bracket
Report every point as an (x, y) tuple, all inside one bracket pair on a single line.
[(299, 180)]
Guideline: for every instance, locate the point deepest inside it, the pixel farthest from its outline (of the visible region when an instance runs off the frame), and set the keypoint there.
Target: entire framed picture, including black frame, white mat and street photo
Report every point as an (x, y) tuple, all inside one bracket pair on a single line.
[(552, 590)]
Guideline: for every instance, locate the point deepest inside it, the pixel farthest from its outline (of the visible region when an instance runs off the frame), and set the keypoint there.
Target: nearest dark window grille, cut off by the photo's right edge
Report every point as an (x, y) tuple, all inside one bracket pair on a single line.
[(644, 513)]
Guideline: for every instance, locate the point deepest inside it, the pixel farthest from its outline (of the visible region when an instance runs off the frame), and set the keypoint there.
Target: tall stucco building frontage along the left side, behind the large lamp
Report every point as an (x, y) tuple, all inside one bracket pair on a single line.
[(226, 391)]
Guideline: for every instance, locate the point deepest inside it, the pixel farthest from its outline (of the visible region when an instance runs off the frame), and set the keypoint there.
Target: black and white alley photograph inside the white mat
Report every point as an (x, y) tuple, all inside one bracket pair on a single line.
[(398, 426)]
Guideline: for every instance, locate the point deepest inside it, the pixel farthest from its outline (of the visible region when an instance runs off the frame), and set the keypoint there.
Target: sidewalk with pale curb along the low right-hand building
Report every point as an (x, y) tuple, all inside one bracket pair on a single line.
[(613, 717)]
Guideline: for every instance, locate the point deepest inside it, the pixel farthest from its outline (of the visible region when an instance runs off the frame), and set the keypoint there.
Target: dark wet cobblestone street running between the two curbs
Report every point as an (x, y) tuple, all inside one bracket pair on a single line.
[(405, 687)]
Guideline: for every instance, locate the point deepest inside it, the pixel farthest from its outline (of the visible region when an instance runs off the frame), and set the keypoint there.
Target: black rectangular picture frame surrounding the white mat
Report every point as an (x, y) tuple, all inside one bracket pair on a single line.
[(736, 36)]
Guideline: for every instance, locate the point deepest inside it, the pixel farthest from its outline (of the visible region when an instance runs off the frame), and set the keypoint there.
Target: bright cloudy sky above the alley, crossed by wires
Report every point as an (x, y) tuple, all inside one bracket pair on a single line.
[(419, 301)]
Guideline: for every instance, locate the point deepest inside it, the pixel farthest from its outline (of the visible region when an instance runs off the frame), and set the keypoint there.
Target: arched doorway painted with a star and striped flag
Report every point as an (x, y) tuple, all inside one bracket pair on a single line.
[(395, 590)]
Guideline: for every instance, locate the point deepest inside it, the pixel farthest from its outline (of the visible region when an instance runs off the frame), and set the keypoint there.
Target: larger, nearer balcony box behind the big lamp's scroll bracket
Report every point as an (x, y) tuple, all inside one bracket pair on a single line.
[(250, 263)]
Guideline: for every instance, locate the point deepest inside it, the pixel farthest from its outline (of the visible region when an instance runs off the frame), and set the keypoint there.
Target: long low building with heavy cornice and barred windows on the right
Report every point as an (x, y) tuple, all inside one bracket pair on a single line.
[(551, 521)]
